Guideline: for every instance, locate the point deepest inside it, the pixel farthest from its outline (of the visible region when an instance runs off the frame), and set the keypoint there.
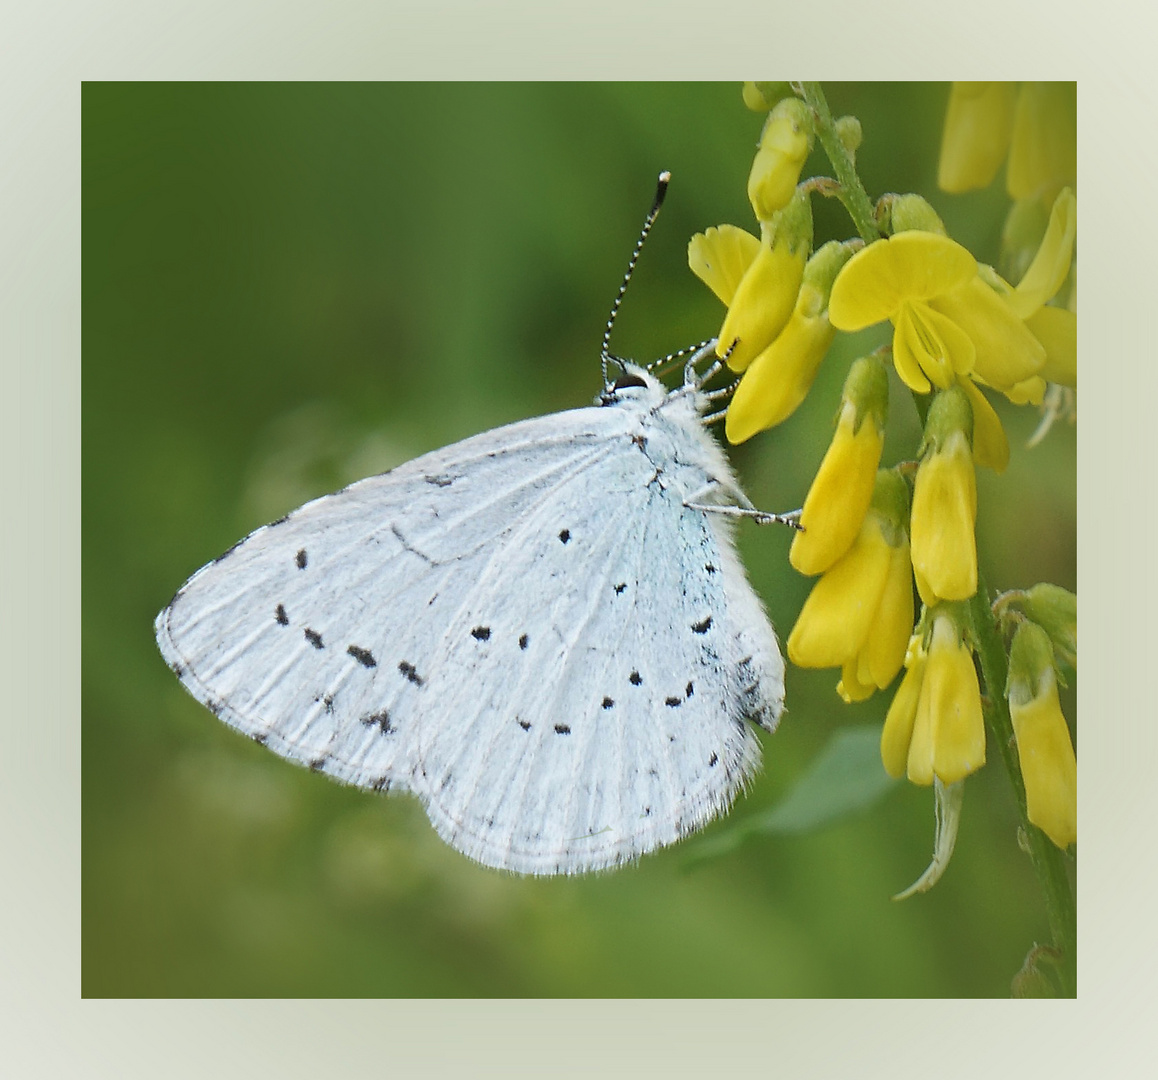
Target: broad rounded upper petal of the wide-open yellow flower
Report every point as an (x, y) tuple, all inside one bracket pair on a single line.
[(913, 266)]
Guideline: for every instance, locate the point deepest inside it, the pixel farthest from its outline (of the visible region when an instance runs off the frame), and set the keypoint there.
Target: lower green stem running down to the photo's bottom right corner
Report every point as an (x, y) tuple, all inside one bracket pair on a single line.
[(1049, 861)]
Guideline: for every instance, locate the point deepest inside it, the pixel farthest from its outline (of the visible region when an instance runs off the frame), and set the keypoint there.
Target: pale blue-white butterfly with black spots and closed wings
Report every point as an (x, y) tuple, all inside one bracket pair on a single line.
[(531, 630)]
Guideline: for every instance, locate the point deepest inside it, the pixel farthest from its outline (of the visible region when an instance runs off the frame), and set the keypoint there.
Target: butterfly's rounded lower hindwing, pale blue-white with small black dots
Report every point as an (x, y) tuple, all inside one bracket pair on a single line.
[(620, 726)]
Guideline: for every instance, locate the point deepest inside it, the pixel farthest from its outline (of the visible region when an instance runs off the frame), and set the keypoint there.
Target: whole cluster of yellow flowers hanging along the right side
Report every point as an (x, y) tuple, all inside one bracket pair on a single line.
[(959, 333)]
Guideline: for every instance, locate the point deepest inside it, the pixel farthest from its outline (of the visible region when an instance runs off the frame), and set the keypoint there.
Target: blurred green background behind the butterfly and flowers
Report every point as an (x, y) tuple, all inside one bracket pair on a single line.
[(291, 286)]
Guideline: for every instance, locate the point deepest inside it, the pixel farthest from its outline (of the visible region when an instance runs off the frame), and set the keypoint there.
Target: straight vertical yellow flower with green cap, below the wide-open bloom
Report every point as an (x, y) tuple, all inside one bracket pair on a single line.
[(946, 504)]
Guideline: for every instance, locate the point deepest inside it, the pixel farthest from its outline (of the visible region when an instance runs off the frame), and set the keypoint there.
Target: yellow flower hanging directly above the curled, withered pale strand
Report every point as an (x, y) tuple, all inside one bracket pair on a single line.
[(949, 731)]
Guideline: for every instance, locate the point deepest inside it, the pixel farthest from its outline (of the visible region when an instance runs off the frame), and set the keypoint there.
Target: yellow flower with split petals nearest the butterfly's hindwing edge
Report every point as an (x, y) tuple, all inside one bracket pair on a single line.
[(860, 614)]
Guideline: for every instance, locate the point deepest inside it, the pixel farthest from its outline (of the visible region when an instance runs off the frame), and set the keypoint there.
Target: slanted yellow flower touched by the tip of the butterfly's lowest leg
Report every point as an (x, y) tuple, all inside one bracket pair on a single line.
[(844, 487)]
